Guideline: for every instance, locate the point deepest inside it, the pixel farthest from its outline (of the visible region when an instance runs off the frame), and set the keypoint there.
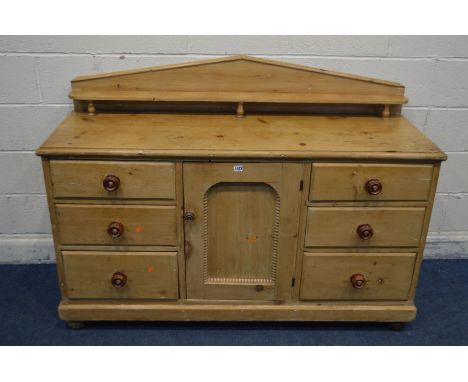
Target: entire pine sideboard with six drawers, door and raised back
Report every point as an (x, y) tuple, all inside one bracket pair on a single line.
[(238, 188)]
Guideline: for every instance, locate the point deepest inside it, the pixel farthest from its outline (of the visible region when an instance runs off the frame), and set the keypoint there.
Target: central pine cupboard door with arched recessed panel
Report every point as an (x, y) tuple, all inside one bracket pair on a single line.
[(241, 225)]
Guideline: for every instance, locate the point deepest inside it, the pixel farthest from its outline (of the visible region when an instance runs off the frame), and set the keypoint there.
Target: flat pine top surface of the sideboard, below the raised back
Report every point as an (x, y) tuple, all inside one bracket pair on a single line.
[(203, 136)]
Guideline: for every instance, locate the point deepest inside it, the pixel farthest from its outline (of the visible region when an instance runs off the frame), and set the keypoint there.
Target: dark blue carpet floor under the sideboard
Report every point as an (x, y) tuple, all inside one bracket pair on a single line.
[(29, 298)]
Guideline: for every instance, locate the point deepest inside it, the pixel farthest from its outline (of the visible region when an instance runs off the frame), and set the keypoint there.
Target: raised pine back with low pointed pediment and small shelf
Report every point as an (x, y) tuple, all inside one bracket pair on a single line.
[(243, 81)]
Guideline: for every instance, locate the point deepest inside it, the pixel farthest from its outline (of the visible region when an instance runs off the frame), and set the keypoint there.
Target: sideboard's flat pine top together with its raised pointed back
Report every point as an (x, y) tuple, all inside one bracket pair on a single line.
[(347, 116)]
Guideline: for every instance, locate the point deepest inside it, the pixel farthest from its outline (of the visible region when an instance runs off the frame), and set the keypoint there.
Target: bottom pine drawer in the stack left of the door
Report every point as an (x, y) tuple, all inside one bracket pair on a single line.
[(137, 275)]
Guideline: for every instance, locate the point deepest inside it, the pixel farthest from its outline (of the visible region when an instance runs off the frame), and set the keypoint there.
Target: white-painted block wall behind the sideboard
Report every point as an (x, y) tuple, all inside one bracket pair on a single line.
[(35, 74)]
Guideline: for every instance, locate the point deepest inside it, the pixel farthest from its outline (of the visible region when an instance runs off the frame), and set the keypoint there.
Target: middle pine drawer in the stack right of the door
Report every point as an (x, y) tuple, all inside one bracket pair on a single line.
[(364, 226)]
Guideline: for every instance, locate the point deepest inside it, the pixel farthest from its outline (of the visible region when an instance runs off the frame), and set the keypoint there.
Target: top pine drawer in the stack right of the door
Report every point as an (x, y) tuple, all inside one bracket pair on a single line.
[(384, 182)]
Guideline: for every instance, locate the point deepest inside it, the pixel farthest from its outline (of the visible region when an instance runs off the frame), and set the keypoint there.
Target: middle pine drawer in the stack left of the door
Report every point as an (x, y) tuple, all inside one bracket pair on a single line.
[(116, 225)]
